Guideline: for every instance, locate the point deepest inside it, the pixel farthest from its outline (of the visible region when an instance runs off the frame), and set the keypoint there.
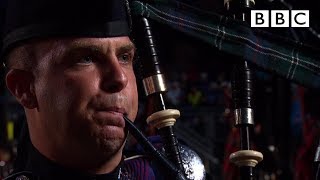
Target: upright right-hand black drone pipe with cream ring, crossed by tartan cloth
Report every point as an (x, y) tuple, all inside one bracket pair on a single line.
[(242, 90)]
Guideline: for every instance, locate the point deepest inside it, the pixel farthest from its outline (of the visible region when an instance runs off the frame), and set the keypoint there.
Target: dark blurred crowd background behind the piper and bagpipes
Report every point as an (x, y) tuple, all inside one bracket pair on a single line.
[(287, 115)]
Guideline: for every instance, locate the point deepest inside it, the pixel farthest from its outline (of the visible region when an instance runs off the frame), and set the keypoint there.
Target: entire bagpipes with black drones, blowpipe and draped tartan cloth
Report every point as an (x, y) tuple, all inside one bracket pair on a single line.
[(231, 28)]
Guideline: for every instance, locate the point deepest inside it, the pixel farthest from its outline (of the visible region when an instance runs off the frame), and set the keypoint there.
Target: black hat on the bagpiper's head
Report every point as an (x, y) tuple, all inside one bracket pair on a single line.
[(29, 19)]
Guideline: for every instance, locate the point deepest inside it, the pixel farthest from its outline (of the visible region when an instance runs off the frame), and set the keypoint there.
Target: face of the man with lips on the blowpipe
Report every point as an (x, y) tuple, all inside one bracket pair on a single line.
[(83, 87)]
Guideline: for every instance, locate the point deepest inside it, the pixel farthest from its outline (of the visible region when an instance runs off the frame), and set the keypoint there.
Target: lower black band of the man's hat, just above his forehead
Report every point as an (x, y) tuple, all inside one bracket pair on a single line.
[(58, 29)]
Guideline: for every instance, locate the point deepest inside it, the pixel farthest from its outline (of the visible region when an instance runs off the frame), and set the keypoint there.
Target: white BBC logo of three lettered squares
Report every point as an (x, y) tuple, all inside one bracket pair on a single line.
[(280, 18)]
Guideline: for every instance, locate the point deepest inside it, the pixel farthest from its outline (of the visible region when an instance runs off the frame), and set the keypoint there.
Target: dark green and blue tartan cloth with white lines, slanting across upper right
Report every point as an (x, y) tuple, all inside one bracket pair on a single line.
[(293, 60)]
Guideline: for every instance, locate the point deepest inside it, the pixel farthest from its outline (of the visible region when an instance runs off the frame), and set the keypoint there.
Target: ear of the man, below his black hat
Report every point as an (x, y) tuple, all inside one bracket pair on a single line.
[(21, 85)]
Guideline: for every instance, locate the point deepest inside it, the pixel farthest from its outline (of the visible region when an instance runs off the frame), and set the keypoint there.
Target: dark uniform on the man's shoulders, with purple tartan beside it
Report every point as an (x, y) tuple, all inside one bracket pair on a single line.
[(38, 167)]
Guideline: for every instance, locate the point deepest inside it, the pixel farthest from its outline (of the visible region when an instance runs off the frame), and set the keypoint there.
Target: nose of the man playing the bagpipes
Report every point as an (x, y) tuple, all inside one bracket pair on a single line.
[(114, 77)]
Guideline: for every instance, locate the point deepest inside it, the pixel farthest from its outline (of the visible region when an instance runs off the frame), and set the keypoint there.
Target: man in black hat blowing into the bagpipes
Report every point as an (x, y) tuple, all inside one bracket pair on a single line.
[(70, 65)]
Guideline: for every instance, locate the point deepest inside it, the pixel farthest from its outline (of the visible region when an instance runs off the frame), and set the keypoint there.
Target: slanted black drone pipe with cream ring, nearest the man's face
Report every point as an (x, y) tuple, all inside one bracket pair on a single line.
[(159, 117)]
